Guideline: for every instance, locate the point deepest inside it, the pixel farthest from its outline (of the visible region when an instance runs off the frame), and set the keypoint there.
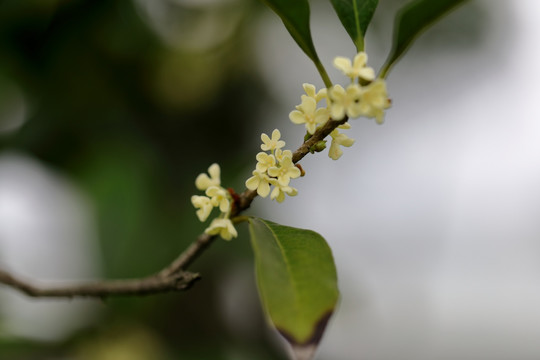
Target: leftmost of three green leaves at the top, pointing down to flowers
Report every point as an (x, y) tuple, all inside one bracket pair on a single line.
[(295, 16)]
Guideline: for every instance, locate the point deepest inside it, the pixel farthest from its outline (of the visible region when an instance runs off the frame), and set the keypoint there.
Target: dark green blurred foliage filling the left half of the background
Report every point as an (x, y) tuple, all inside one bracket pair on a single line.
[(132, 118)]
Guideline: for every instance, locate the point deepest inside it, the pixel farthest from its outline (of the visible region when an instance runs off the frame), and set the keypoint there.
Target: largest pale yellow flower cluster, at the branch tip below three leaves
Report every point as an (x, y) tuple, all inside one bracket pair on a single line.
[(365, 96)]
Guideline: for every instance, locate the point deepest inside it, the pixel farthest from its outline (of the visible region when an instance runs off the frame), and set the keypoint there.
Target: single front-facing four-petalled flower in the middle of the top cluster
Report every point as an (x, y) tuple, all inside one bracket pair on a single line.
[(345, 101)]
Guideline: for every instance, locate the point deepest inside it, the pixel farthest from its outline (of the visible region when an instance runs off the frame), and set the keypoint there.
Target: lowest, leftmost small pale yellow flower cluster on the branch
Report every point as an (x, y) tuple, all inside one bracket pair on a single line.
[(216, 196)]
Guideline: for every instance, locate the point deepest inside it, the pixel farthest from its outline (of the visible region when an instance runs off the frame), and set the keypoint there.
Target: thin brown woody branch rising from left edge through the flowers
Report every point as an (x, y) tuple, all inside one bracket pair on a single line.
[(171, 278)]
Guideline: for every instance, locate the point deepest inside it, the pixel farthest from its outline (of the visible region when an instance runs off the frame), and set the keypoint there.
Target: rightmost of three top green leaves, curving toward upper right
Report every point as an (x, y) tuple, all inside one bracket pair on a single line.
[(411, 21)]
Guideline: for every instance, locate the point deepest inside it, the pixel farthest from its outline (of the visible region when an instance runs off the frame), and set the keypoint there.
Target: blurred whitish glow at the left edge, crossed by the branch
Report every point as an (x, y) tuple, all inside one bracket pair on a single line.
[(42, 215)]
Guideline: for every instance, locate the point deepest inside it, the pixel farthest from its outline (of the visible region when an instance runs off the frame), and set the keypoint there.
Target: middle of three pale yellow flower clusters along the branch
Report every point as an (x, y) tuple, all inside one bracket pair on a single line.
[(275, 168)]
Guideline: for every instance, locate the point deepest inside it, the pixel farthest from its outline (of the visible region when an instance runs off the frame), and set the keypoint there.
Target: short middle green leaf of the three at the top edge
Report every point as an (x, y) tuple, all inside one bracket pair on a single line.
[(355, 15)]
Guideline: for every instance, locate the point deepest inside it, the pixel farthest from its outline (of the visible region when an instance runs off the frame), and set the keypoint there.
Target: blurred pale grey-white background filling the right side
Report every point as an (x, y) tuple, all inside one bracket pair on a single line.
[(433, 217)]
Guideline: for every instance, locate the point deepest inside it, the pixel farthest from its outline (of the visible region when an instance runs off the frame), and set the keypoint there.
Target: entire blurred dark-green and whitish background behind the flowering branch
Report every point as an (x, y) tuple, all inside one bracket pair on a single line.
[(110, 109)]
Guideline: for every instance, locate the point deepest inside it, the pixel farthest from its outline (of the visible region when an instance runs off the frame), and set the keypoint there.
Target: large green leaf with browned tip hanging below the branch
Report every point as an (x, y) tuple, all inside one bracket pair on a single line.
[(297, 281)]
